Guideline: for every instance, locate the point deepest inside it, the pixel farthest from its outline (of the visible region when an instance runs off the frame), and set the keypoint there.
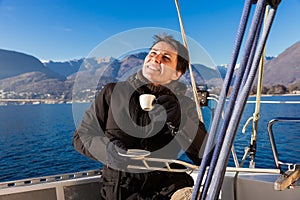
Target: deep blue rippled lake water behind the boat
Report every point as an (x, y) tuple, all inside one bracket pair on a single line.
[(36, 140)]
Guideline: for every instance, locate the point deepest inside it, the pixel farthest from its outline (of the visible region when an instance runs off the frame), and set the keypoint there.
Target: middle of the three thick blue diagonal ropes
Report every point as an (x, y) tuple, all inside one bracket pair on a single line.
[(233, 97)]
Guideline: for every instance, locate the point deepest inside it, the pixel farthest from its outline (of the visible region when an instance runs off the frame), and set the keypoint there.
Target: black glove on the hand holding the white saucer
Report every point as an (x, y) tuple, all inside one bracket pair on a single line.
[(114, 160)]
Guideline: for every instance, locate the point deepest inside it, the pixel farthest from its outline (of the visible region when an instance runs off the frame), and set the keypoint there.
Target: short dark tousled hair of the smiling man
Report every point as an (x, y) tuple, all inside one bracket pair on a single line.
[(182, 52)]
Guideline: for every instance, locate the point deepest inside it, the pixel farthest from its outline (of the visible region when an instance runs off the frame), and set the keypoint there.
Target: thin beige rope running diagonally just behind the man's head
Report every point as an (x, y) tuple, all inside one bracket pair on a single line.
[(199, 112)]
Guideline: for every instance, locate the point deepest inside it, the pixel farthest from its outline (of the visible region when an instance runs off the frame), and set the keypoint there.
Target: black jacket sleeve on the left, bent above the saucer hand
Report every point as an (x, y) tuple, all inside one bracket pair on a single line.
[(89, 137)]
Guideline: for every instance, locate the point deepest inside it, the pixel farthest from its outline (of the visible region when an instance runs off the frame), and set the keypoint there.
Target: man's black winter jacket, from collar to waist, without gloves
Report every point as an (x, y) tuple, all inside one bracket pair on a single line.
[(117, 105)]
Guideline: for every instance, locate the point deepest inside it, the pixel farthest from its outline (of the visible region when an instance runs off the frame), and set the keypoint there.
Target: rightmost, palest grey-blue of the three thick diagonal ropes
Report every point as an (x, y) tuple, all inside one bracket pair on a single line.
[(218, 177)]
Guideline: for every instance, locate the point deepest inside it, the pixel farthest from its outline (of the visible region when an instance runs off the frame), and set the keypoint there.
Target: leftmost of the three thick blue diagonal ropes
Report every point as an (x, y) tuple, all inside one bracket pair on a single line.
[(223, 95)]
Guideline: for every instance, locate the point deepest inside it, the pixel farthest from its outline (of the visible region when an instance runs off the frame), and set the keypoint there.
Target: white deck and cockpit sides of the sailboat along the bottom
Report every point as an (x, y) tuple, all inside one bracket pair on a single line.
[(86, 186)]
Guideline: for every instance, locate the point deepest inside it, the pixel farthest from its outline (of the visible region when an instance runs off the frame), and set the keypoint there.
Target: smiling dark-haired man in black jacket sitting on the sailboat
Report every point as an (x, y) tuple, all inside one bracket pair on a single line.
[(115, 123)]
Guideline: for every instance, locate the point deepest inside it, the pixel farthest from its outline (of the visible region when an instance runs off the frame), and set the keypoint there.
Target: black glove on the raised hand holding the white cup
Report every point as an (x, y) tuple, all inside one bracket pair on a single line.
[(172, 107)]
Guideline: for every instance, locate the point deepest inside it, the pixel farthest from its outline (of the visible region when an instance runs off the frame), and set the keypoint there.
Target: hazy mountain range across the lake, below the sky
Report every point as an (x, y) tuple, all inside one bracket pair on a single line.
[(23, 74)]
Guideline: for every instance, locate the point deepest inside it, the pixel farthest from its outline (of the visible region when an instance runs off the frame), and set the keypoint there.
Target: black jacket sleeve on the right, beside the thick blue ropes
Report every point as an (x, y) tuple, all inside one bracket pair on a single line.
[(192, 133)]
